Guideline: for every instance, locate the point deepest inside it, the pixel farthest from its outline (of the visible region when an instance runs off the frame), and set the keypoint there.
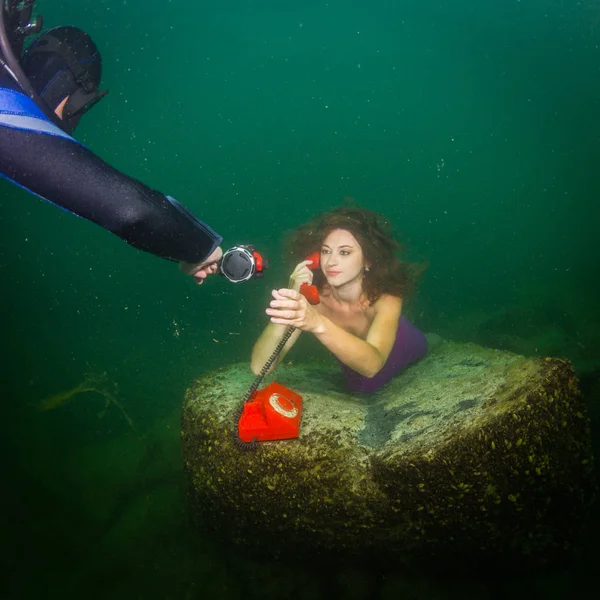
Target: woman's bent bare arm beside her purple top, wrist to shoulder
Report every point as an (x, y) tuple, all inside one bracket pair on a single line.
[(368, 356)]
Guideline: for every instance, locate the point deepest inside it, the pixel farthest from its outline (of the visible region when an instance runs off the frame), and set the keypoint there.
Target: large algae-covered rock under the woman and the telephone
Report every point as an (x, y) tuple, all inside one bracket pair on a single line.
[(471, 452)]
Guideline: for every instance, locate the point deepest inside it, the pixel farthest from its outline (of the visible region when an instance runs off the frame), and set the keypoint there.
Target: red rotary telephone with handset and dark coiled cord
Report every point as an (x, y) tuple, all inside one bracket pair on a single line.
[(274, 412)]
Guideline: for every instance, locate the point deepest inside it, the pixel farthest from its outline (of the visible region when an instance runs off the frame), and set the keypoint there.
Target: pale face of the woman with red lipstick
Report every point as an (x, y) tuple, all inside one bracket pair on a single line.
[(342, 259)]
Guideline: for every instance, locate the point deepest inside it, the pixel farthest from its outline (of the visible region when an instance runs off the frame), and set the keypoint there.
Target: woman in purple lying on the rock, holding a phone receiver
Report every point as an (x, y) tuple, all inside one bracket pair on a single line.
[(361, 284)]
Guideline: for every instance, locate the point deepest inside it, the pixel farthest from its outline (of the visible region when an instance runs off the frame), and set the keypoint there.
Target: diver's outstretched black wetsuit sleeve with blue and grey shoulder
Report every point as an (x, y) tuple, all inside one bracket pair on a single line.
[(61, 170)]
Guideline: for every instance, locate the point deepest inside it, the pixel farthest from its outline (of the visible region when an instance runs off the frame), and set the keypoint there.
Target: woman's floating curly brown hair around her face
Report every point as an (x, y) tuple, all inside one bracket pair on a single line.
[(387, 274)]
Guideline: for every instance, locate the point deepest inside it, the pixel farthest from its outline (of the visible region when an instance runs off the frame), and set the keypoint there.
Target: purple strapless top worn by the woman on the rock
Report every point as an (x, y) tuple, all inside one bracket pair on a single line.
[(410, 345)]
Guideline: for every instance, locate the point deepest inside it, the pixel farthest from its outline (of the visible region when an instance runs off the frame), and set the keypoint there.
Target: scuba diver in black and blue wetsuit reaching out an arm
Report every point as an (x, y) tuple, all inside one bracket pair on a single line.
[(44, 92)]
